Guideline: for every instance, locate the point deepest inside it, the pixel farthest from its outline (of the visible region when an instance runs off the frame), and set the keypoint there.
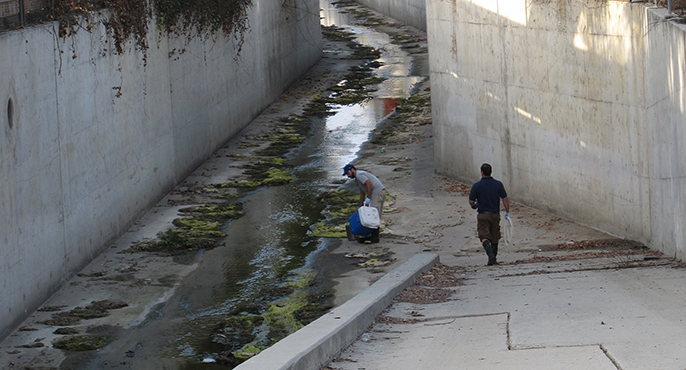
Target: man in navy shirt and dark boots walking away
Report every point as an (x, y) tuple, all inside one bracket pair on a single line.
[(485, 198)]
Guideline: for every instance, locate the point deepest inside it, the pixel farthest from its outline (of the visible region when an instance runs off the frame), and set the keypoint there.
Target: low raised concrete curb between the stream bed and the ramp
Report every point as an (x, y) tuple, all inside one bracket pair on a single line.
[(313, 346)]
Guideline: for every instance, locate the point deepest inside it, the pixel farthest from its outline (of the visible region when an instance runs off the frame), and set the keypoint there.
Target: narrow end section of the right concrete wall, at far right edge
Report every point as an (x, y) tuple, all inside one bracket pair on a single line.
[(665, 102)]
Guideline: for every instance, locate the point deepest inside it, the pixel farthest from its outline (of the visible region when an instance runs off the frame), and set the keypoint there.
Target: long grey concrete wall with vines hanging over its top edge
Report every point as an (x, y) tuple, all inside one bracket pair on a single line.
[(90, 140)]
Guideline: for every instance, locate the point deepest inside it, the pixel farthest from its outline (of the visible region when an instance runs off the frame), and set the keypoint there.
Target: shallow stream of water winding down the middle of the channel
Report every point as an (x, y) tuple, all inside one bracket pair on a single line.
[(270, 243)]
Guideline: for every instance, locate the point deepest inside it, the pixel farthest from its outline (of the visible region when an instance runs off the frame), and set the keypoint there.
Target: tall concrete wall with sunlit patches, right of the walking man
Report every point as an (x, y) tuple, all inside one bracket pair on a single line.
[(578, 105)]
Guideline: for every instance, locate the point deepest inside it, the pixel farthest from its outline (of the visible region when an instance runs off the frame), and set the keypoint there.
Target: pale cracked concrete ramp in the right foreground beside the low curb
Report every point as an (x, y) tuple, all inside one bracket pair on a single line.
[(580, 314)]
